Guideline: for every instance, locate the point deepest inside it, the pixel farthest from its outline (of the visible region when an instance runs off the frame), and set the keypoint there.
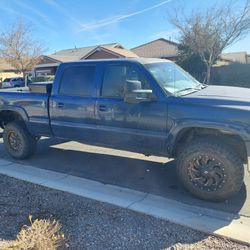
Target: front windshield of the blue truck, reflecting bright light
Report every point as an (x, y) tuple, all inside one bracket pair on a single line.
[(173, 79)]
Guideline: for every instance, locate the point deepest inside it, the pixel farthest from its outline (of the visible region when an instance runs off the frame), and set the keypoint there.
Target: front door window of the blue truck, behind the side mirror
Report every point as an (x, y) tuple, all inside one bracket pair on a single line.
[(115, 77)]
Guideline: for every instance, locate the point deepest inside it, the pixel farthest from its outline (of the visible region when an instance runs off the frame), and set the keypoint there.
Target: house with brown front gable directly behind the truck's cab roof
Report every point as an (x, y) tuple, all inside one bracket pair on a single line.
[(49, 64)]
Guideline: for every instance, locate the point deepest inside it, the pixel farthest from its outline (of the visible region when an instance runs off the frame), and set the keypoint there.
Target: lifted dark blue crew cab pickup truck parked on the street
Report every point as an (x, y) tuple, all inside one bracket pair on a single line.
[(149, 106)]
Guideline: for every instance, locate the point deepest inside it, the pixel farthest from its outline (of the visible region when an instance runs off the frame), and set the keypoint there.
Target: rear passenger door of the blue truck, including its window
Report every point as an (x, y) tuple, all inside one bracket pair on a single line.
[(72, 109)]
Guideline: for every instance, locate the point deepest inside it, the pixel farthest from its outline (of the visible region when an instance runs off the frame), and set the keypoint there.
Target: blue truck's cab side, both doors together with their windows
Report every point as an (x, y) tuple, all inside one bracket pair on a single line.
[(98, 110)]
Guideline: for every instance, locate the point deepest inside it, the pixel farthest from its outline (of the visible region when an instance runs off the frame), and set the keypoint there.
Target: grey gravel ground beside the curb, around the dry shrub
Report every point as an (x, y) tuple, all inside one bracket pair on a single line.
[(89, 224)]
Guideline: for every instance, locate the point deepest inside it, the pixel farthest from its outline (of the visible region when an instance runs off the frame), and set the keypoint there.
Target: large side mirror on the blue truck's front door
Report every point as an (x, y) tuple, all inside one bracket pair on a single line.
[(133, 93)]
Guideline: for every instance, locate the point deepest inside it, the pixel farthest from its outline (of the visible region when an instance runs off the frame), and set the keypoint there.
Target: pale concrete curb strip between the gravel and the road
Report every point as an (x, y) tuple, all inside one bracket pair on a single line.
[(205, 220)]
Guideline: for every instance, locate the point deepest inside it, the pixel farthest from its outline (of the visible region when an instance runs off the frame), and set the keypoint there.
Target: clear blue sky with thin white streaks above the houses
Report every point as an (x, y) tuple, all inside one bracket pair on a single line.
[(64, 24)]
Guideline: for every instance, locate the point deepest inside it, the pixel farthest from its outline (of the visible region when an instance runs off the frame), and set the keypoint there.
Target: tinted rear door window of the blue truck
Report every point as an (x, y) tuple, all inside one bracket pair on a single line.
[(77, 81)]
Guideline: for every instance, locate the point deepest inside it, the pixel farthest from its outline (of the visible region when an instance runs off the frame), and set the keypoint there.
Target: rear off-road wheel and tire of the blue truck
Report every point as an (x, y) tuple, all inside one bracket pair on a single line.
[(18, 142)]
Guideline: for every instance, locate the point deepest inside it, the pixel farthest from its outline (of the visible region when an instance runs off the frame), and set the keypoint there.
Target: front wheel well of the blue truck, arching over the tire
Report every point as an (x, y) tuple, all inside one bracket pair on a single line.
[(189, 134)]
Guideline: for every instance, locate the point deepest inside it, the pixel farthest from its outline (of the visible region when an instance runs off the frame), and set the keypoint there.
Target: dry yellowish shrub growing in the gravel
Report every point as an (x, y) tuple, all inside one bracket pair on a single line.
[(40, 235)]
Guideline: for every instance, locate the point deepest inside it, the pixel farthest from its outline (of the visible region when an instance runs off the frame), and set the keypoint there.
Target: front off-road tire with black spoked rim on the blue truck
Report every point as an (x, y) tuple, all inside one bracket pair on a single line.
[(219, 160)]
